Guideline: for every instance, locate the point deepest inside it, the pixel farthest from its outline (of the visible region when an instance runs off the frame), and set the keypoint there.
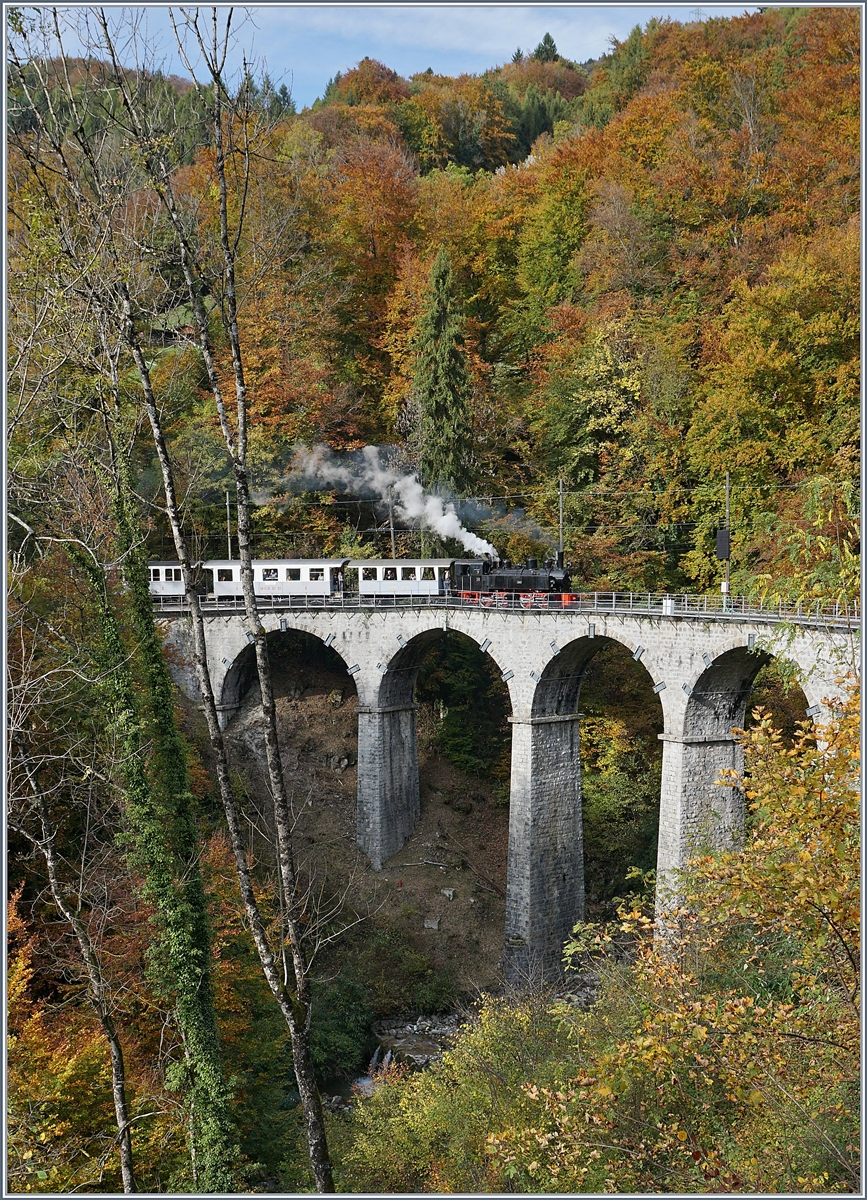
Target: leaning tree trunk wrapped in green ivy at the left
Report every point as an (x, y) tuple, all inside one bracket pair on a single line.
[(86, 214)]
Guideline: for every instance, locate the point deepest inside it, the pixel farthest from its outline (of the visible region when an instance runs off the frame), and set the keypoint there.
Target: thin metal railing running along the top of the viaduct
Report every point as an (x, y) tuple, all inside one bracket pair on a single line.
[(715, 607)]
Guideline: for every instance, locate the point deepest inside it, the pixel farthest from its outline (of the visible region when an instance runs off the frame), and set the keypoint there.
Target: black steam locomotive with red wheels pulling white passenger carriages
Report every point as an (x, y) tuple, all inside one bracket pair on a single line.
[(485, 581)]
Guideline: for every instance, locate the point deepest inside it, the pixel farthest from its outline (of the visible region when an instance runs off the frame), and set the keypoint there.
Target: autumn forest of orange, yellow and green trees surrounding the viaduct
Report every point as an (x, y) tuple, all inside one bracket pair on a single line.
[(611, 286)]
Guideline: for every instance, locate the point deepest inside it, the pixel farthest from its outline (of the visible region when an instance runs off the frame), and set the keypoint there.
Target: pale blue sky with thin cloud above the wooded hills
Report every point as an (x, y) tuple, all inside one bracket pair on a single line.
[(304, 45)]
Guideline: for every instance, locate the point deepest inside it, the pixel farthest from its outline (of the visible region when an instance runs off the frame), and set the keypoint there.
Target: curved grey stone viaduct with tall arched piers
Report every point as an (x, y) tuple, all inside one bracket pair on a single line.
[(701, 664)]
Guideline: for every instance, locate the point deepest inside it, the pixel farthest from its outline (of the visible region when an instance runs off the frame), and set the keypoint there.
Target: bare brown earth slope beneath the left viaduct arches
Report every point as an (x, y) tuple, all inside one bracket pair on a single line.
[(445, 891)]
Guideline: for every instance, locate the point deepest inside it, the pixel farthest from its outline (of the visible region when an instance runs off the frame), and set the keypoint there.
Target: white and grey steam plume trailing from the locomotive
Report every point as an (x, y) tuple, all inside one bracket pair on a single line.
[(366, 476)]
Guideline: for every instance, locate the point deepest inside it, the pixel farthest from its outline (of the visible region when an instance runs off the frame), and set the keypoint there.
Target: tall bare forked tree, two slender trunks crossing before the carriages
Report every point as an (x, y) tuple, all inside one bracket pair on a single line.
[(106, 284)]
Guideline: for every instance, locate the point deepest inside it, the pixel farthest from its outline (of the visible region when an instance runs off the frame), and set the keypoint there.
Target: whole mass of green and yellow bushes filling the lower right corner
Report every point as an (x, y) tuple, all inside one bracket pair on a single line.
[(722, 1057)]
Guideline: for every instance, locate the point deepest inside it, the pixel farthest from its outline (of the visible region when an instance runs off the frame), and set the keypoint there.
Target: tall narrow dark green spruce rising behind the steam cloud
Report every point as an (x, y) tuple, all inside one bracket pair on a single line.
[(443, 387)]
